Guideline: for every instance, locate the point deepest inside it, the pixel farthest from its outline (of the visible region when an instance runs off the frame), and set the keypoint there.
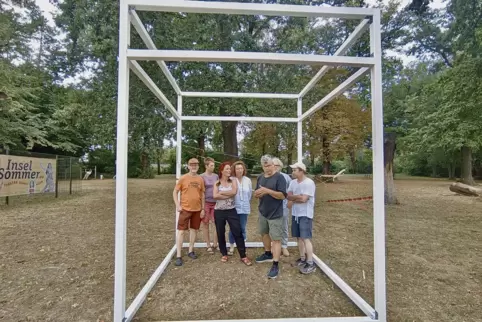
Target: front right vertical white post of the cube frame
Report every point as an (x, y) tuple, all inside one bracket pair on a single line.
[(378, 169)]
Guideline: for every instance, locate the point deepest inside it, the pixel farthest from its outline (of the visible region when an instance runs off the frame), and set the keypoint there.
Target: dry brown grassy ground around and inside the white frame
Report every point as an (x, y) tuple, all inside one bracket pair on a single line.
[(57, 259)]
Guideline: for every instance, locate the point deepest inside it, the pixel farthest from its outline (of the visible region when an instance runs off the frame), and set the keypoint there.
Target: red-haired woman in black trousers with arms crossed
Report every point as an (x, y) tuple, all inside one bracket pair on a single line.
[(225, 211)]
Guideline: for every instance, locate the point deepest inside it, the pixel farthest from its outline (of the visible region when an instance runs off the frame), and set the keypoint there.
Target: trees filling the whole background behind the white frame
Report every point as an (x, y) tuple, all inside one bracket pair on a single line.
[(59, 95)]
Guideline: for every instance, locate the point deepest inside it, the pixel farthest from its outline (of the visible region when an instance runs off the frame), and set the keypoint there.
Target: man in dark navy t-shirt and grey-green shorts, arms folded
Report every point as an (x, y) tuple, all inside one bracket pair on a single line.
[(271, 191)]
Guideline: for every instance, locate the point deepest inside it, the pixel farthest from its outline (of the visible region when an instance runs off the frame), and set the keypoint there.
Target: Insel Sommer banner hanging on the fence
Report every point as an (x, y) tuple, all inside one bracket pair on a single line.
[(26, 175)]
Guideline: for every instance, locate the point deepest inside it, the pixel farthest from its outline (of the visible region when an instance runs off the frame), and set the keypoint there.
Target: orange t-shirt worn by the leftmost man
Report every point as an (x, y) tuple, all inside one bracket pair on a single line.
[(192, 192)]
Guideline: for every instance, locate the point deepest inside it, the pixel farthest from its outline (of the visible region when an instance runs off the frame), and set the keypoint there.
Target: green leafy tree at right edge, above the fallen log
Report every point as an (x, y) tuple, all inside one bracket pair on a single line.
[(447, 114)]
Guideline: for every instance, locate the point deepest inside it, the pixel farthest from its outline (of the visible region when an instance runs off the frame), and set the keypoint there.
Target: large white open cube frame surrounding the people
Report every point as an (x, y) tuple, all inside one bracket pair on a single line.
[(370, 19)]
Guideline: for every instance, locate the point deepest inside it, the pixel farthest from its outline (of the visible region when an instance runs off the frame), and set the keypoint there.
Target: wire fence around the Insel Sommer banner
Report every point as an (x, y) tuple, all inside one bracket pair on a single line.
[(68, 176)]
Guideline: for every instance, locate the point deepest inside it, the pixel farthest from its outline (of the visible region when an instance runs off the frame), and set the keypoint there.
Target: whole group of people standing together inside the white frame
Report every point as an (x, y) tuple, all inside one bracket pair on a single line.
[(216, 199)]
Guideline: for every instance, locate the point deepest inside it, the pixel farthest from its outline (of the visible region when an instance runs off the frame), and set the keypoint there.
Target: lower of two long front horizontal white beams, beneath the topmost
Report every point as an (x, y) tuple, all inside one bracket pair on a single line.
[(247, 57)]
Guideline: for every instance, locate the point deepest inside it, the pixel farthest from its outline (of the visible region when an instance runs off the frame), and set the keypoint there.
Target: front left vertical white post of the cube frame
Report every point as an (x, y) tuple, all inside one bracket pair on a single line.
[(121, 165)]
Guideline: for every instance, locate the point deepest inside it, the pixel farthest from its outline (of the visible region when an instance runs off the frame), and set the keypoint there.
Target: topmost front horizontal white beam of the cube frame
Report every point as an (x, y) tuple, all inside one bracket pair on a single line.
[(237, 8)]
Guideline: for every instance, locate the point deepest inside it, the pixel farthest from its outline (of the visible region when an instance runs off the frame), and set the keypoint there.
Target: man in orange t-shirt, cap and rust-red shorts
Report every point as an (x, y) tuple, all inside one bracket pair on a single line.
[(190, 207)]
